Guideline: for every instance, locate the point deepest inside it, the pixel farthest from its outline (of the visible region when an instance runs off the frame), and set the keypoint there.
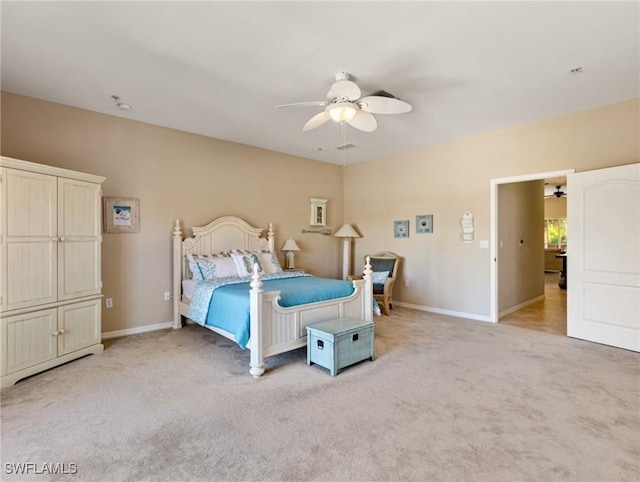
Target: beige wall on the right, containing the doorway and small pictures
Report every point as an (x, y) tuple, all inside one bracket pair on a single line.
[(448, 179)]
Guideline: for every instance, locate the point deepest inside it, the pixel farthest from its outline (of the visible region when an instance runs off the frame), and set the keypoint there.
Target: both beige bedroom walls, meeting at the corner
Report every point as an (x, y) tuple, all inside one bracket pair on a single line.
[(180, 175)]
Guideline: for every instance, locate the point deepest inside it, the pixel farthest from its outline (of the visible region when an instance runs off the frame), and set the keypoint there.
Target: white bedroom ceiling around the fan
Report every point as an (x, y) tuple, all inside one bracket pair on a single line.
[(219, 68)]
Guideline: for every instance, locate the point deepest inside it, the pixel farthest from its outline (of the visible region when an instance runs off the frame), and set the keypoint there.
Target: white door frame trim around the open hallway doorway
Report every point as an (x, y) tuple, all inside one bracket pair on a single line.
[(494, 244)]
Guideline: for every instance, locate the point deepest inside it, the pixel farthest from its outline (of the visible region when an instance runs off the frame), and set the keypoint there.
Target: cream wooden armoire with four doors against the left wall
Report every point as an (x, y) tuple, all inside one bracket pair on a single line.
[(50, 267)]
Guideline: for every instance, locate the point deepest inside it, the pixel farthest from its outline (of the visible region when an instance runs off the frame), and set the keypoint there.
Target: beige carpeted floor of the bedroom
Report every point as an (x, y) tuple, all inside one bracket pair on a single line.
[(446, 399)]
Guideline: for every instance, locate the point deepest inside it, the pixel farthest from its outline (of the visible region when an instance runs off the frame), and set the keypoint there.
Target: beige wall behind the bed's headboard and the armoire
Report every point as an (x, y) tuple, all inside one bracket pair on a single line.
[(175, 175)]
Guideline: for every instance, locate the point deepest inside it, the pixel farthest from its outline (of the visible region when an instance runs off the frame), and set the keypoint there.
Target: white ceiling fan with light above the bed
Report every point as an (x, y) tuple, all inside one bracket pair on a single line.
[(344, 104)]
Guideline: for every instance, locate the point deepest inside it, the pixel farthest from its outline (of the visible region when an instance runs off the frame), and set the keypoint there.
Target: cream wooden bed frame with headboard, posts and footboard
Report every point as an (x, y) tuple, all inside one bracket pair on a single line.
[(274, 329)]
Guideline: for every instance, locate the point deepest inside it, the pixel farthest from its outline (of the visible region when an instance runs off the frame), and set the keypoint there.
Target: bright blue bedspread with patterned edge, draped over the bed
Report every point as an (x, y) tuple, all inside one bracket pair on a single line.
[(225, 303)]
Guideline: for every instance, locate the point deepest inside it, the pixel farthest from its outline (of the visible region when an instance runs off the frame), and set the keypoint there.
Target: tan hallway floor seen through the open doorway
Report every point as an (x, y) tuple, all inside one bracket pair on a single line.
[(549, 314)]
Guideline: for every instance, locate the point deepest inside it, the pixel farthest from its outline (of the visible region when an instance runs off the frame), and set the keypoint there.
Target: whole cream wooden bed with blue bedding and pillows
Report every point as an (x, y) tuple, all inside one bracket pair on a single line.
[(271, 327)]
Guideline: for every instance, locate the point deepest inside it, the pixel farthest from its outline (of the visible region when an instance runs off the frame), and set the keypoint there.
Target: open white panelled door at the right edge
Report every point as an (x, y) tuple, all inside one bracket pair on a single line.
[(603, 256)]
